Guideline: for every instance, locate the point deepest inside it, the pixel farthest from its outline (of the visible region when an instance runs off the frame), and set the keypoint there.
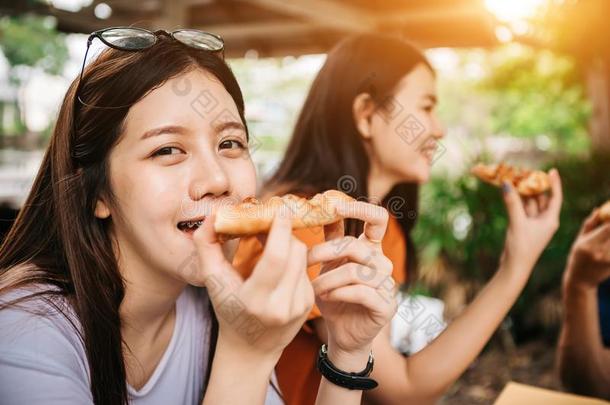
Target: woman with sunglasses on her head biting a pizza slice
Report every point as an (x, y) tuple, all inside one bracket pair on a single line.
[(100, 276)]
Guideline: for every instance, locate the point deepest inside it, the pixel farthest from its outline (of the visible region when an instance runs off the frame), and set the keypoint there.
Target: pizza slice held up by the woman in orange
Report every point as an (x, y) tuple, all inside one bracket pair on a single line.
[(527, 182)]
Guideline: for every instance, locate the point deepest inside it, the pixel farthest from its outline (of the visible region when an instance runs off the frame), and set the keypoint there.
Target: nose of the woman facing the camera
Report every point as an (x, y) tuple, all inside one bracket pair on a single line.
[(209, 179)]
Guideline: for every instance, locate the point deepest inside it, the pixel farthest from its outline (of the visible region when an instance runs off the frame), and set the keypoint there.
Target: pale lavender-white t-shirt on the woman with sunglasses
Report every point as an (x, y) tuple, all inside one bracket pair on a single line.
[(43, 361)]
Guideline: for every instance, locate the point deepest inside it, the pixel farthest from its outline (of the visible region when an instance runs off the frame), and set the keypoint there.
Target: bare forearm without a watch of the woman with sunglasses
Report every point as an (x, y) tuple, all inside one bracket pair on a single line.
[(235, 376)]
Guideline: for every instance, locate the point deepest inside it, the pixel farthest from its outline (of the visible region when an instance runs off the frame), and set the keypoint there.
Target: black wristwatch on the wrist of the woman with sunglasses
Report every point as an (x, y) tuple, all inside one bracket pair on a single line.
[(352, 381)]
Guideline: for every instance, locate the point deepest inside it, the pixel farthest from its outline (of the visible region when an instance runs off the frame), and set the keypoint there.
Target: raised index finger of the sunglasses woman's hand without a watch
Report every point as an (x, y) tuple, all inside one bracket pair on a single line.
[(271, 266)]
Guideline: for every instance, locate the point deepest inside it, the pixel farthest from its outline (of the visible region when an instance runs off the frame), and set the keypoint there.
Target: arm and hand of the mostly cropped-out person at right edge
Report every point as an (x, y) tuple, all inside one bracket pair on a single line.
[(584, 363)]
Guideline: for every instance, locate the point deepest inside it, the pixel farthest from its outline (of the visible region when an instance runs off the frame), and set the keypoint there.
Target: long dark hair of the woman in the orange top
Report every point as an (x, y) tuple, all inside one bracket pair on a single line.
[(326, 150)]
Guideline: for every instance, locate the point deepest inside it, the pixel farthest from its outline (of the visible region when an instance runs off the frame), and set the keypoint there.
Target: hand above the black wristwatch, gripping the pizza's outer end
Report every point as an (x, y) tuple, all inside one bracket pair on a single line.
[(355, 290)]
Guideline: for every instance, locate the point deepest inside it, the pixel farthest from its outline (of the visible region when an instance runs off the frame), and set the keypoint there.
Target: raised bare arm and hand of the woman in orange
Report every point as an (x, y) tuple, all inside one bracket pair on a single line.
[(425, 376)]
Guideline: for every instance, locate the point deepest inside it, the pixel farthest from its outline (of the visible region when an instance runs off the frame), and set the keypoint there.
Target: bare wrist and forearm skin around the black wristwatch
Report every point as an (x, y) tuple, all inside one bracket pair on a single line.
[(331, 394)]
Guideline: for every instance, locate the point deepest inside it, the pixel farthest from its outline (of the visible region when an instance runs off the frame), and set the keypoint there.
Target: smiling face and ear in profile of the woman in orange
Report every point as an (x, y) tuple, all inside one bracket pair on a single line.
[(402, 135)]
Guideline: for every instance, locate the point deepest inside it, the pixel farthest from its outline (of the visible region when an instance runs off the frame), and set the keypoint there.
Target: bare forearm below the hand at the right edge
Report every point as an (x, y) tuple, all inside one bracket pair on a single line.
[(584, 363)]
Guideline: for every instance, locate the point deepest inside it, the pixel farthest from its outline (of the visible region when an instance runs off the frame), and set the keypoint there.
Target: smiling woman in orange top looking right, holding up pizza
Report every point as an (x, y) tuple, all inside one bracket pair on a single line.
[(369, 127)]
